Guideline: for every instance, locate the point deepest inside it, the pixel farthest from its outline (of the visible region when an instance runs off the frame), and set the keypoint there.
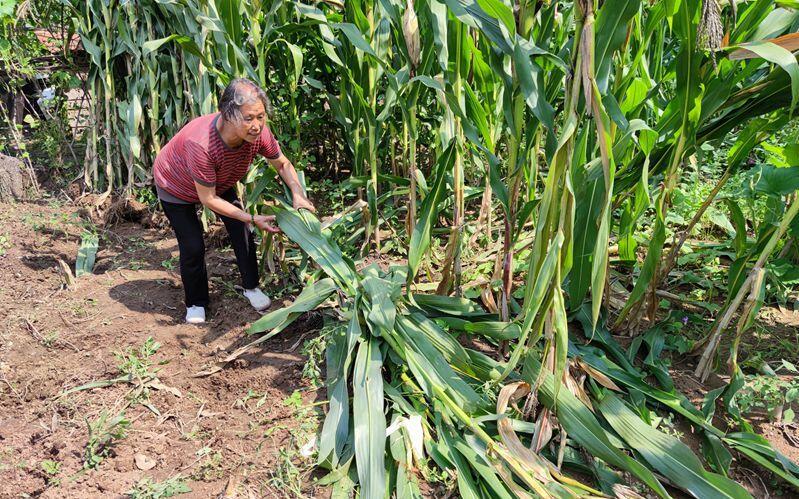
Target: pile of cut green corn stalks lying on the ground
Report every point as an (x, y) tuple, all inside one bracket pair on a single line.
[(445, 405)]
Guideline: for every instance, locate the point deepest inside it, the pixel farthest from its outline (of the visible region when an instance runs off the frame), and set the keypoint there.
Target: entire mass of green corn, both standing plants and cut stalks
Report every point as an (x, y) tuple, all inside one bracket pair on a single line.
[(543, 142)]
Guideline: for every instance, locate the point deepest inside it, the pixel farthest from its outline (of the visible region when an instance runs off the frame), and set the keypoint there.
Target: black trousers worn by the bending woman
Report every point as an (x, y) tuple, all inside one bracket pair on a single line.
[(189, 232)]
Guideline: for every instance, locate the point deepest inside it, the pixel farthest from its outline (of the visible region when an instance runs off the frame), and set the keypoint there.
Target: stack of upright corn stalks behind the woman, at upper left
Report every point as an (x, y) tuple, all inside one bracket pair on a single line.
[(128, 38)]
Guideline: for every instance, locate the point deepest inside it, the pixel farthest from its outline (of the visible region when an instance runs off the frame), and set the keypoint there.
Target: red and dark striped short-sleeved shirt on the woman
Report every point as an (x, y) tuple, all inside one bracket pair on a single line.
[(198, 154)]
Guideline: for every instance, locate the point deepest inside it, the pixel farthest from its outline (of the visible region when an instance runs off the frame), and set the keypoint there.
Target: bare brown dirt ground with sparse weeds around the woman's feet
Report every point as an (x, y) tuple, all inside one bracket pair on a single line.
[(242, 426)]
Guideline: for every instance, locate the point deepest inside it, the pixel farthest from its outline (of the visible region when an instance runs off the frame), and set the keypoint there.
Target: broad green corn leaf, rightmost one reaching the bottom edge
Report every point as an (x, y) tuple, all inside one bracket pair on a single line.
[(667, 454)]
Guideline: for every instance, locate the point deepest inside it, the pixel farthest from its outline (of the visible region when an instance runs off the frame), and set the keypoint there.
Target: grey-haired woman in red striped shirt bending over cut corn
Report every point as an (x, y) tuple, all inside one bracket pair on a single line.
[(201, 164)]
